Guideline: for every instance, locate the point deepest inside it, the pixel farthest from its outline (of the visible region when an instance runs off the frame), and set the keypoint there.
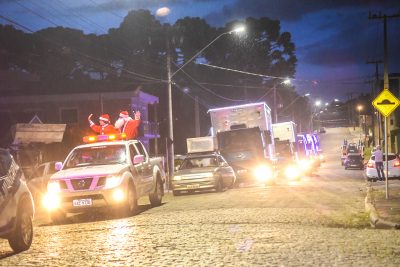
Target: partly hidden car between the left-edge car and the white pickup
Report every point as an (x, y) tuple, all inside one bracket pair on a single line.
[(37, 181)]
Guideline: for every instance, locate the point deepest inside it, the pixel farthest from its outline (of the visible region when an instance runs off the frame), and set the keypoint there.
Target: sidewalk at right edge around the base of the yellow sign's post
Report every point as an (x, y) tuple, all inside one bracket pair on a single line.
[(384, 213)]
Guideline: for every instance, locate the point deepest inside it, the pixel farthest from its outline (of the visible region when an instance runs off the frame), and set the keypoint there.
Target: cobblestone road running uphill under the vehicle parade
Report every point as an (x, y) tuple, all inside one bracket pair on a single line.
[(319, 221)]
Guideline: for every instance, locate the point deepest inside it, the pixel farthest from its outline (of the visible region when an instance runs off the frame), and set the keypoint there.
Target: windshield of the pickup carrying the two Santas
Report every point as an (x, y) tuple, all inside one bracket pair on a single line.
[(96, 155)]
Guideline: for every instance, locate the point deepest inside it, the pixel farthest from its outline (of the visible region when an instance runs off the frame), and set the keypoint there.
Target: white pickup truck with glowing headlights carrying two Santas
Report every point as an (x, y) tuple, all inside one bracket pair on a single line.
[(108, 174)]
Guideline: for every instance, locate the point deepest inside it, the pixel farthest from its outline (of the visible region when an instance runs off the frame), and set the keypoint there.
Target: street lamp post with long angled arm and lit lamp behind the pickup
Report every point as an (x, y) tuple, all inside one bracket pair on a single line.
[(170, 76)]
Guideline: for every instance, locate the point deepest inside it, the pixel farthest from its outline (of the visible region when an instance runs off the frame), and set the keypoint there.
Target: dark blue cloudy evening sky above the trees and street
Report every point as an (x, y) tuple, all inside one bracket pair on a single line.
[(334, 38)]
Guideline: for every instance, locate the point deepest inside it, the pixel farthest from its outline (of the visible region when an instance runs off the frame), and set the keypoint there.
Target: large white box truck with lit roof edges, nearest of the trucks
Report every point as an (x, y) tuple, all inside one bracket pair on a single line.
[(245, 139)]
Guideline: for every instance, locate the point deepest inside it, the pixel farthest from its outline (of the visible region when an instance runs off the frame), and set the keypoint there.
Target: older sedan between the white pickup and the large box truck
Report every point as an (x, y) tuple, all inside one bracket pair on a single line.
[(203, 172)]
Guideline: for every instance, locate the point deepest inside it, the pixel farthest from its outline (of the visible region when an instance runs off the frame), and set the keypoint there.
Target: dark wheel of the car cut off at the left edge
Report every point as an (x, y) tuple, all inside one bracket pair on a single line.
[(21, 238)]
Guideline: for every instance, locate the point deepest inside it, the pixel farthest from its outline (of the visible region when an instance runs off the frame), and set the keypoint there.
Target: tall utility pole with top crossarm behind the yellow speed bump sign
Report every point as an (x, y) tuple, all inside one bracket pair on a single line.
[(385, 83)]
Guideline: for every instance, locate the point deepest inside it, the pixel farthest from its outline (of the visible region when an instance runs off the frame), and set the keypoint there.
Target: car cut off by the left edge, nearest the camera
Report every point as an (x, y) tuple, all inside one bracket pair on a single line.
[(16, 205)]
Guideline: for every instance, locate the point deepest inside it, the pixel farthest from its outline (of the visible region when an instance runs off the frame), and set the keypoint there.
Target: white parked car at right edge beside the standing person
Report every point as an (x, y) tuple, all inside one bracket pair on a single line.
[(393, 167)]
